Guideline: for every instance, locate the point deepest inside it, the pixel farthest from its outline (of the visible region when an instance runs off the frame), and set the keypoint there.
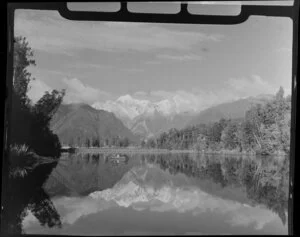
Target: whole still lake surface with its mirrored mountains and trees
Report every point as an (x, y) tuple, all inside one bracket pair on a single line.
[(151, 194)]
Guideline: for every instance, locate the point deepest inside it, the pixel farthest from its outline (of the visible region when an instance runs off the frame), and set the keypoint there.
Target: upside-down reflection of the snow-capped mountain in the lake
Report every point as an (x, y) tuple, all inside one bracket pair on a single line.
[(150, 187)]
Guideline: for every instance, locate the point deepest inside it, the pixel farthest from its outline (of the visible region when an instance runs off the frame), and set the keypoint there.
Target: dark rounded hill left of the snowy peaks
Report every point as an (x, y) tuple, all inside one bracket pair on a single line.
[(76, 123)]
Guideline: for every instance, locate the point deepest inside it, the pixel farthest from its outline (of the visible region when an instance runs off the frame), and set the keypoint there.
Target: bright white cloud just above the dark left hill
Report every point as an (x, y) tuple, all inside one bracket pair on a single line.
[(77, 92)]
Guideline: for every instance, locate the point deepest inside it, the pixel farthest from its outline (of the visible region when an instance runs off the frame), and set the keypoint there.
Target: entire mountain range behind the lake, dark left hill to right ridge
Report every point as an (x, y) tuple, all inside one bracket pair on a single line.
[(137, 119)]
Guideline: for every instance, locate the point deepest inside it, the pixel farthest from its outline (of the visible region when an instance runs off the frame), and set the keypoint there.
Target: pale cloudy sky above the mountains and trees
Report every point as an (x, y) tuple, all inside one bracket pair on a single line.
[(201, 64)]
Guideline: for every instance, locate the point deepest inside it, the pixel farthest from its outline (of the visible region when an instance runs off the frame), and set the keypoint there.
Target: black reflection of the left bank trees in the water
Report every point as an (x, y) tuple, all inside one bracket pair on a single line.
[(25, 194)]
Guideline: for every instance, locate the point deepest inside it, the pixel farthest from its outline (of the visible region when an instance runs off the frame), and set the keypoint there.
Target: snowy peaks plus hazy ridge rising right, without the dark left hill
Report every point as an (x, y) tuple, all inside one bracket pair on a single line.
[(146, 119)]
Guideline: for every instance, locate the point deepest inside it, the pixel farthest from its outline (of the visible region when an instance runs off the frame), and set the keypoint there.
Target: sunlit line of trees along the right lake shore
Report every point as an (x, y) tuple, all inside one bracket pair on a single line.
[(265, 129)]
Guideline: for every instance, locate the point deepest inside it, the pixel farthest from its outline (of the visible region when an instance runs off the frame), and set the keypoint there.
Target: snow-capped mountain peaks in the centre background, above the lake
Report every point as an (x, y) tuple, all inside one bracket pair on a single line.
[(146, 118)]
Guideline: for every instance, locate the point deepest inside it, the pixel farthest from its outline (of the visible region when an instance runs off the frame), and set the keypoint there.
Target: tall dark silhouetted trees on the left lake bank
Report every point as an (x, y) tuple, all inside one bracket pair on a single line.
[(30, 122)]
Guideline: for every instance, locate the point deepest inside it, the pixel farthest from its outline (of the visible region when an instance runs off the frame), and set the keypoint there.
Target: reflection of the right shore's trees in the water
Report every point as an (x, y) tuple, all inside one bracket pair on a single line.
[(265, 180)]
